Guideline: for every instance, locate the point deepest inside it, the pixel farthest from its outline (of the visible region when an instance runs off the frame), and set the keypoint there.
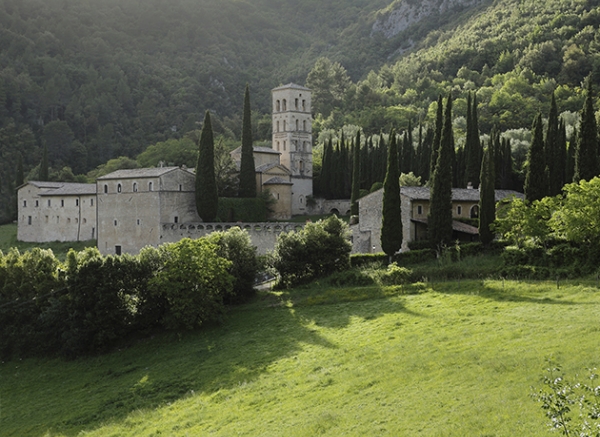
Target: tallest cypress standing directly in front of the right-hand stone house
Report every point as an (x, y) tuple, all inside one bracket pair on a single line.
[(439, 220)]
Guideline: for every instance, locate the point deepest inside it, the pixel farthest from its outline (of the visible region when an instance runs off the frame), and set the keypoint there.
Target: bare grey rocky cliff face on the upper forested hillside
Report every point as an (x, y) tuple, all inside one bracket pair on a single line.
[(409, 12)]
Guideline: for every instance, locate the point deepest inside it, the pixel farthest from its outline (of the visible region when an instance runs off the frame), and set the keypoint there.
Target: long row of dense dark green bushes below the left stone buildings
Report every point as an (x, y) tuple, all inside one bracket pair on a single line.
[(91, 302)]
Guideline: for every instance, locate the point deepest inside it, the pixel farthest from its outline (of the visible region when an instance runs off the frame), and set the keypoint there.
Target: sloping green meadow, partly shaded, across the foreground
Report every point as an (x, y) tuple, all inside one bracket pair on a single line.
[(457, 360)]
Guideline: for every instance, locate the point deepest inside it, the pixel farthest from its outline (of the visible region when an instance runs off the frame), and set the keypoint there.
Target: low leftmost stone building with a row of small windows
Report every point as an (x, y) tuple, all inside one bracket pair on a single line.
[(56, 211)]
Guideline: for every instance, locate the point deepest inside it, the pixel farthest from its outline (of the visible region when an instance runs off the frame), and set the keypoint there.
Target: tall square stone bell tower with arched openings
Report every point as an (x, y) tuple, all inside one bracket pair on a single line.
[(292, 137)]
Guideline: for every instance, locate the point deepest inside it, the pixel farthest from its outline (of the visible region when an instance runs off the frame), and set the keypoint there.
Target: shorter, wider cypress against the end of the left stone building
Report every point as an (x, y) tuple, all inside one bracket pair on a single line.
[(207, 199)]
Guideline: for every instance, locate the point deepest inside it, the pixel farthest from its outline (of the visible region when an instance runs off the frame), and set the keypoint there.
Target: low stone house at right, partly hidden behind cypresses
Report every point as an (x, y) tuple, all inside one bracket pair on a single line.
[(414, 201)]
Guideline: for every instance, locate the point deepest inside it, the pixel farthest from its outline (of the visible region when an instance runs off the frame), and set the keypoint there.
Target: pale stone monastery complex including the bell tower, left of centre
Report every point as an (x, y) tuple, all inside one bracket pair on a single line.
[(129, 209)]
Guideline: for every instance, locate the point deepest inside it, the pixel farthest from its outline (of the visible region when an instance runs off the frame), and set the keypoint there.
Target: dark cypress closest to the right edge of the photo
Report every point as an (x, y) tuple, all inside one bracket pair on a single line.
[(586, 154)]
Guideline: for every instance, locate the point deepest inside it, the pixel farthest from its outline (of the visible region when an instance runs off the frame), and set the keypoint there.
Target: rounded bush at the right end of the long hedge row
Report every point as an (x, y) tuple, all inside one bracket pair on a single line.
[(236, 246)]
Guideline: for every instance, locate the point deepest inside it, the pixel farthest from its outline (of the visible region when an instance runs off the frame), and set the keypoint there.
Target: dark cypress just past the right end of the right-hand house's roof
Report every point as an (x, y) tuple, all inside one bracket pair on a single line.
[(536, 180)]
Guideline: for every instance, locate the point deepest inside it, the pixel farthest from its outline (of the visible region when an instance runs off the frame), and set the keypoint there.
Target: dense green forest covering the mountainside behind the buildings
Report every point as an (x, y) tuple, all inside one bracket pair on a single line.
[(90, 81)]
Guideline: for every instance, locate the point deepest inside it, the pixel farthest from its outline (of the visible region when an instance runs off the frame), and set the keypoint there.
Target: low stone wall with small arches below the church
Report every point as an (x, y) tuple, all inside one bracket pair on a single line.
[(263, 235)]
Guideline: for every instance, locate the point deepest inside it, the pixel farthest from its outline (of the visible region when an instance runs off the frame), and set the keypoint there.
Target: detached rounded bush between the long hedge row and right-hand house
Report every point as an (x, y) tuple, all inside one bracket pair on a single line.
[(317, 250)]
